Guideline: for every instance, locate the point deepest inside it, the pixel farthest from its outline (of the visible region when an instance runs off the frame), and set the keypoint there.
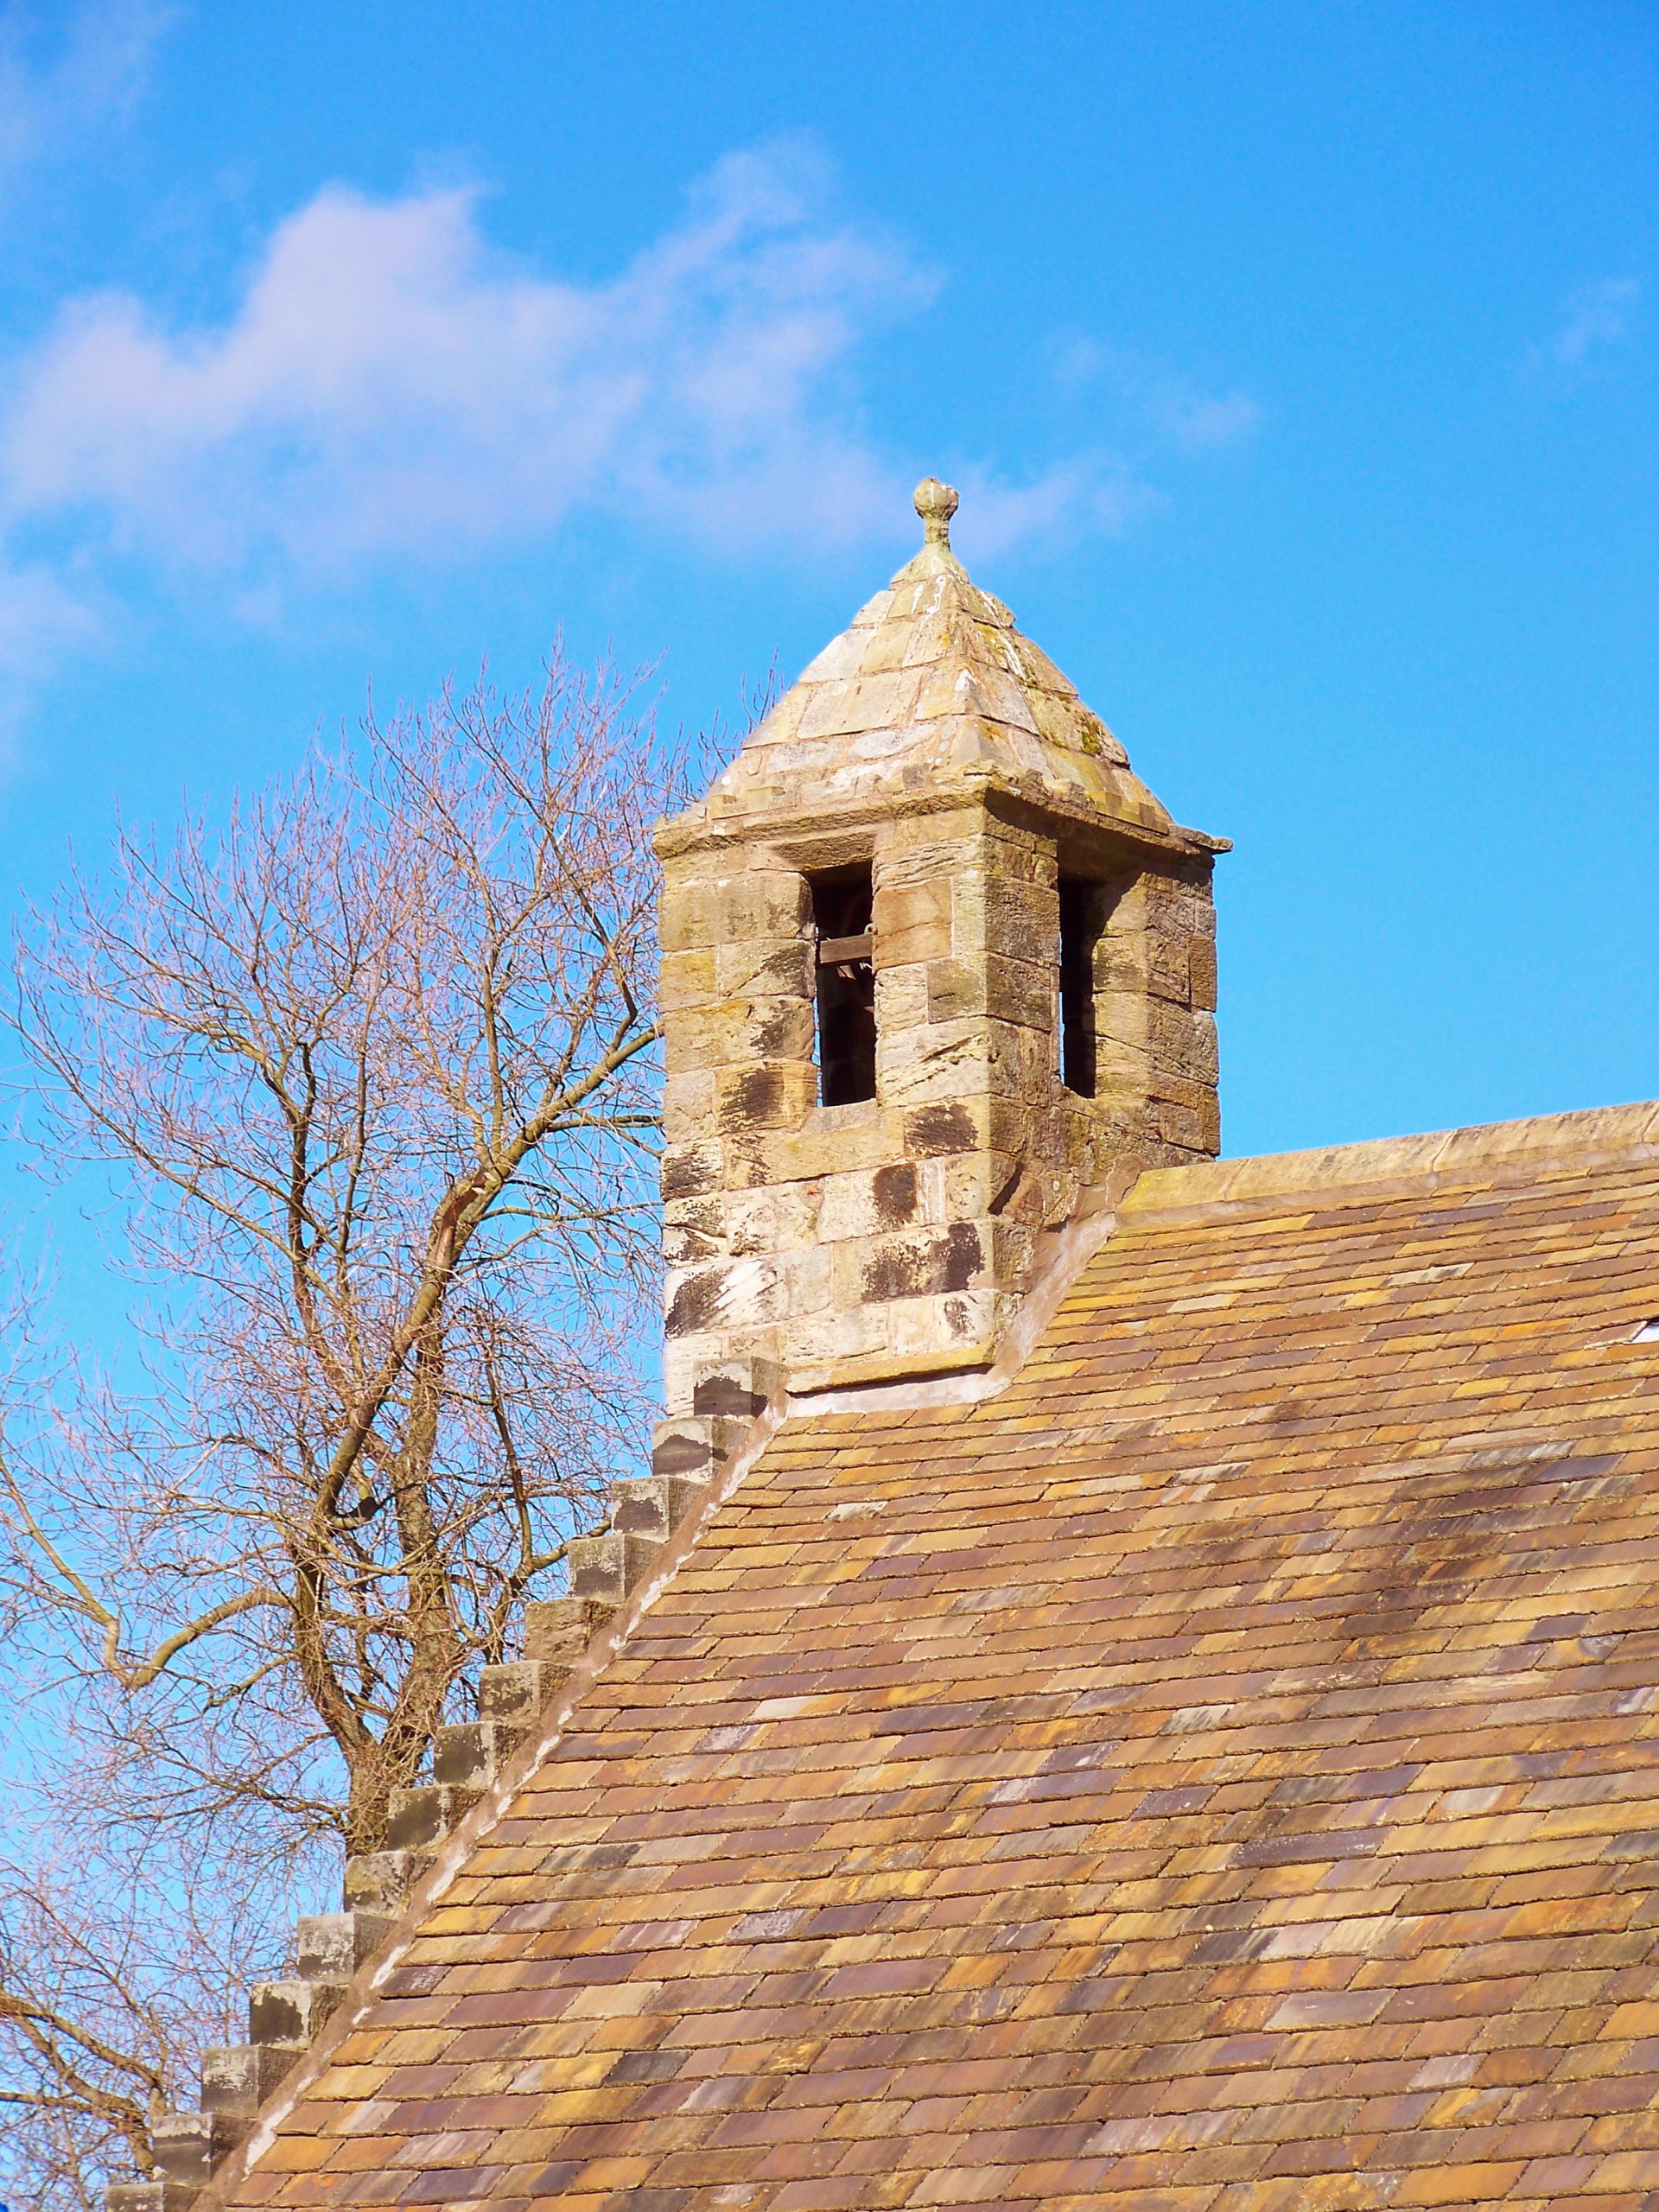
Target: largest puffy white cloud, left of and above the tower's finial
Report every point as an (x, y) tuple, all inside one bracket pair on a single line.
[(388, 384)]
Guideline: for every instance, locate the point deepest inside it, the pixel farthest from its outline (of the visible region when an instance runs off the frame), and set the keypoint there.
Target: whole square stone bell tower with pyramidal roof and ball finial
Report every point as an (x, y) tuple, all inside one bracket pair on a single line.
[(935, 963)]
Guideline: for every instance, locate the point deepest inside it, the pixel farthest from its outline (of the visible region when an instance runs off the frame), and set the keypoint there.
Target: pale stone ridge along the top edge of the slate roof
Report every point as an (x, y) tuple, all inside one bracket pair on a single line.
[(1483, 1149)]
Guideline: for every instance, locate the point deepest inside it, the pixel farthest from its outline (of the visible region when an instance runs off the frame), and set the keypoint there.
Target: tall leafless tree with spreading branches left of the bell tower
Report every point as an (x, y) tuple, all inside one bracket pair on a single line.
[(368, 1081)]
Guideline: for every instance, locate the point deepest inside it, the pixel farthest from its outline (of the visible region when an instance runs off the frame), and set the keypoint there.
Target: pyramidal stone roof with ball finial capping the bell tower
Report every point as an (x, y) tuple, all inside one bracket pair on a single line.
[(935, 682)]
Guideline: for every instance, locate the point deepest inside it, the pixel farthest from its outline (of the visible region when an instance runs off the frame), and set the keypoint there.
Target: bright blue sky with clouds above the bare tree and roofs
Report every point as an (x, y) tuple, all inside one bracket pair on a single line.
[(1297, 364)]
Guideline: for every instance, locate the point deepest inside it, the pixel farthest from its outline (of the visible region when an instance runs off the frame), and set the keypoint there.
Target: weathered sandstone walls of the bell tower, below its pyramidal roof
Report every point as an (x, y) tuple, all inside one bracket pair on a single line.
[(893, 1235)]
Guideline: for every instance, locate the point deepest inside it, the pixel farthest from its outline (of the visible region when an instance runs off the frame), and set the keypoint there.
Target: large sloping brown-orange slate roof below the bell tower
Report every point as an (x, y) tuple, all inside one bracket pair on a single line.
[(1213, 1773)]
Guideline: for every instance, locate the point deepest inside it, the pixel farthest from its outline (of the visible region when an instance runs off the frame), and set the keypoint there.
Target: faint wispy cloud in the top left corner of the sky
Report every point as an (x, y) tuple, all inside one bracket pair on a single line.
[(61, 90)]
